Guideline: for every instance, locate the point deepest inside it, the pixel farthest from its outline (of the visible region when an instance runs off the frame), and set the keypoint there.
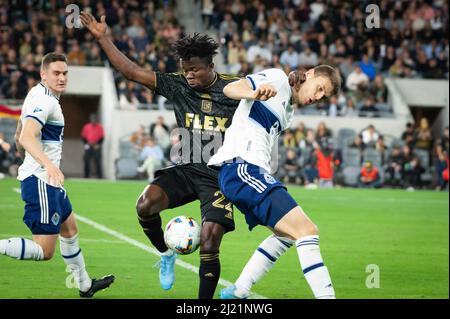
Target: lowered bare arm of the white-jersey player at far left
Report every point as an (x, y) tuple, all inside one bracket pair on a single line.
[(28, 140)]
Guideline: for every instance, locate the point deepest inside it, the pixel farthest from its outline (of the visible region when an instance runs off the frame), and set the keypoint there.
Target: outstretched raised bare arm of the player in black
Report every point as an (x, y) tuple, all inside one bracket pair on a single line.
[(129, 69)]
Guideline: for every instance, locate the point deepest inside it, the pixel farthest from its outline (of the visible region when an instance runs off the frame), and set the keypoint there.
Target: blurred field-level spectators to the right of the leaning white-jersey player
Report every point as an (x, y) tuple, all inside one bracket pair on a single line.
[(319, 158)]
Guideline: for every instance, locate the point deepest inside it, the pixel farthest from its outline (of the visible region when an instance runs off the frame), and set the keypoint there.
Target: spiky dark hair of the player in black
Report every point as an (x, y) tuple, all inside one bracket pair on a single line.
[(197, 45)]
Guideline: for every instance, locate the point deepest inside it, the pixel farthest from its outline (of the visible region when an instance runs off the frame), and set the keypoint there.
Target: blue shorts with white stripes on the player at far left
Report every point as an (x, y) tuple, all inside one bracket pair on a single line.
[(46, 207)]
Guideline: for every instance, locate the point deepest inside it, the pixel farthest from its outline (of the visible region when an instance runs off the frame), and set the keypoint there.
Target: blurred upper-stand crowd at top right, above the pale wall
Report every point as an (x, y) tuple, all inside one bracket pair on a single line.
[(411, 41)]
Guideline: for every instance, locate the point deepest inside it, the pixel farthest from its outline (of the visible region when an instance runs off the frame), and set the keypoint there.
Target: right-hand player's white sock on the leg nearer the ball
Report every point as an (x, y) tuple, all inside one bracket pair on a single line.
[(261, 262)]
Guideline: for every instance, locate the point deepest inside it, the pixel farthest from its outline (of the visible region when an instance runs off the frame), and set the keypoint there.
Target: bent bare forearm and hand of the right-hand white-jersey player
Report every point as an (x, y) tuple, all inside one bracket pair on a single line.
[(242, 89)]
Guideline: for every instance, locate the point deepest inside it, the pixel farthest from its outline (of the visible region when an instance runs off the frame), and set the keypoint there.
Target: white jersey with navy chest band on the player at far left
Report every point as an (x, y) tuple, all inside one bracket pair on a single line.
[(42, 106)]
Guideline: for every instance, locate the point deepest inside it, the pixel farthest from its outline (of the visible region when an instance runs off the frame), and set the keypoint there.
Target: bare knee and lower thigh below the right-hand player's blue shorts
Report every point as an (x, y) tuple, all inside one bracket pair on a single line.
[(295, 224)]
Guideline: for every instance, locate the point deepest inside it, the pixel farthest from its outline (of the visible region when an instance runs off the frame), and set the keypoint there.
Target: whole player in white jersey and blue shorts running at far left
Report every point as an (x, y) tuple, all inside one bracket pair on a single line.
[(48, 212)]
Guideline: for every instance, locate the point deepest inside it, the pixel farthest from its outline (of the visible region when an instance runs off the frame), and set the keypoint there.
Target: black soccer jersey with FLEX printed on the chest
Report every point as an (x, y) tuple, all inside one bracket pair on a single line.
[(202, 115)]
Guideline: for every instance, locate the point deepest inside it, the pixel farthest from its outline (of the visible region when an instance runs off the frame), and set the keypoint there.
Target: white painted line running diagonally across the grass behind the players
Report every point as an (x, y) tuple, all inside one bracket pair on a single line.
[(145, 247)]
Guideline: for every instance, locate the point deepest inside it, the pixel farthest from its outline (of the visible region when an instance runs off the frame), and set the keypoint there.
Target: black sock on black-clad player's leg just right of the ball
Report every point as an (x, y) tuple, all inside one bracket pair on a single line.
[(209, 274)]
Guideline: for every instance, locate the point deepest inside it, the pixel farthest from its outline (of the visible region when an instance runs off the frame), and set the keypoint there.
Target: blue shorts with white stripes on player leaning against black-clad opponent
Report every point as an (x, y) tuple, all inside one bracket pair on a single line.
[(258, 195)]
